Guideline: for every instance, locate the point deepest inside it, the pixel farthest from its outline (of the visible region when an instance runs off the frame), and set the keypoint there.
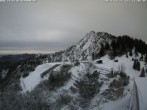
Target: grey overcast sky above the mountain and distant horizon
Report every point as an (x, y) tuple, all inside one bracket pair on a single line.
[(45, 26)]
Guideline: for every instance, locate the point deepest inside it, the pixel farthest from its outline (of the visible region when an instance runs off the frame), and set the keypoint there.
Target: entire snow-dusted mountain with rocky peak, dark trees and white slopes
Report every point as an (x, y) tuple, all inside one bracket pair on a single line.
[(83, 76)]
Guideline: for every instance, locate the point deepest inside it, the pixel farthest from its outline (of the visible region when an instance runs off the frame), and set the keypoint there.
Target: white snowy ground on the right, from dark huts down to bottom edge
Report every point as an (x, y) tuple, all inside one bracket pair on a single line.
[(124, 103)]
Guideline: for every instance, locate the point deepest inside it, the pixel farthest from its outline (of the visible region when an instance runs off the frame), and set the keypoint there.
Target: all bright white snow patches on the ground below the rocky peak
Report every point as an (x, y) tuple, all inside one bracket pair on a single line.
[(34, 78)]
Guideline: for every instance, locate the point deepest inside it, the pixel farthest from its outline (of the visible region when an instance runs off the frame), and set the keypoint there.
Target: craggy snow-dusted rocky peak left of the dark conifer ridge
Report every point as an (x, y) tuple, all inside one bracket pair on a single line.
[(83, 50)]
